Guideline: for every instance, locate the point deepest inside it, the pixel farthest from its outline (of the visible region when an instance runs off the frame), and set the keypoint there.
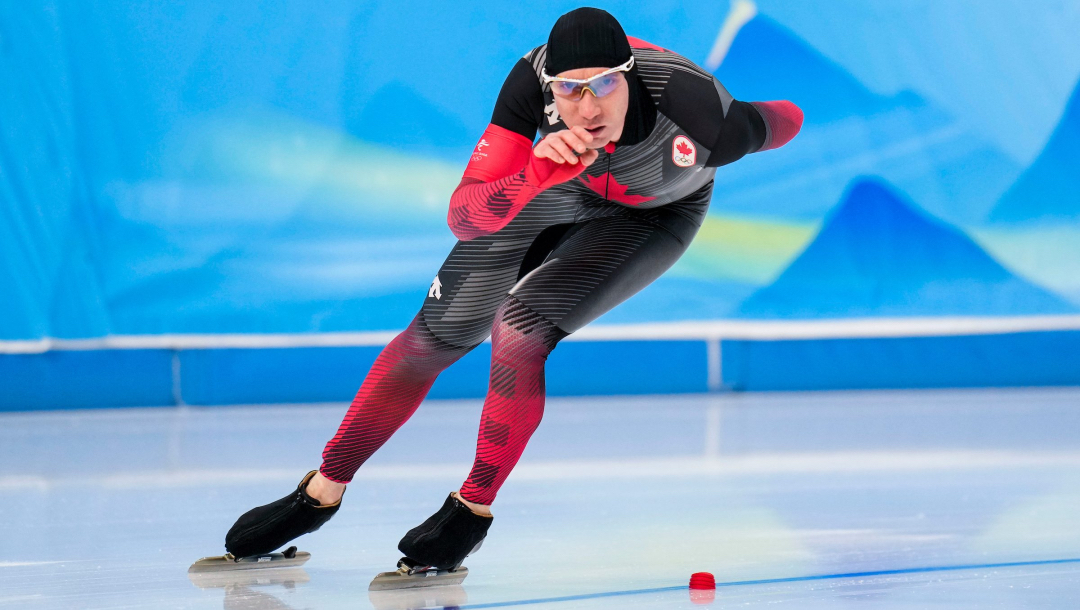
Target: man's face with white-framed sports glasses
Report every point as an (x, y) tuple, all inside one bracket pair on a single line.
[(603, 117)]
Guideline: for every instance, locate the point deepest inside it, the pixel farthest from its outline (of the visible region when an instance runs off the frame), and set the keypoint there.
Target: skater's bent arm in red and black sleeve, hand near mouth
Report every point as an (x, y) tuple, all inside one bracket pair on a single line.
[(506, 172)]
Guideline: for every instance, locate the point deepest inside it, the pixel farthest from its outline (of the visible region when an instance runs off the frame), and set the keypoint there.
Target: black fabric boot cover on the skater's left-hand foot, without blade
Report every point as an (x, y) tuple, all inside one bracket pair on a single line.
[(263, 530)]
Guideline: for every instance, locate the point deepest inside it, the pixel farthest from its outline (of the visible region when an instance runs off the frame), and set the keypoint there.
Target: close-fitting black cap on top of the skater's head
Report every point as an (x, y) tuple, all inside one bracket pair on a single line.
[(587, 38)]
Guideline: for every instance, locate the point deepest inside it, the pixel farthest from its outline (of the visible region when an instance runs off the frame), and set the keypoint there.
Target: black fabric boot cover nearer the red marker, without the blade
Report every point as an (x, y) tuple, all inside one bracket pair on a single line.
[(447, 538)]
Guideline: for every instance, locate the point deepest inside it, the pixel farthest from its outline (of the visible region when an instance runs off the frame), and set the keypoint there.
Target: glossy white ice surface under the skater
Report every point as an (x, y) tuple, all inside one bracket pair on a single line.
[(616, 504)]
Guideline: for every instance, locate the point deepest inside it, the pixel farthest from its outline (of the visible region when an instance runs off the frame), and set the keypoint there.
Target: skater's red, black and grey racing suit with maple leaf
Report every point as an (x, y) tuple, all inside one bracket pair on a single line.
[(547, 249)]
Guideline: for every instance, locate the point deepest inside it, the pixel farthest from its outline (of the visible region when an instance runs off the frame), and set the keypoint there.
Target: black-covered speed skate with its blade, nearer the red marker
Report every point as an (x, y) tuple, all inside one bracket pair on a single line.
[(436, 549)]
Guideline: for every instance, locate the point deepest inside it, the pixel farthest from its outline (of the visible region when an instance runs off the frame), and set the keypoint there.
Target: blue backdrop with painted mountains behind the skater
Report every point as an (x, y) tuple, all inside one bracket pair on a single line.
[(254, 167)]
